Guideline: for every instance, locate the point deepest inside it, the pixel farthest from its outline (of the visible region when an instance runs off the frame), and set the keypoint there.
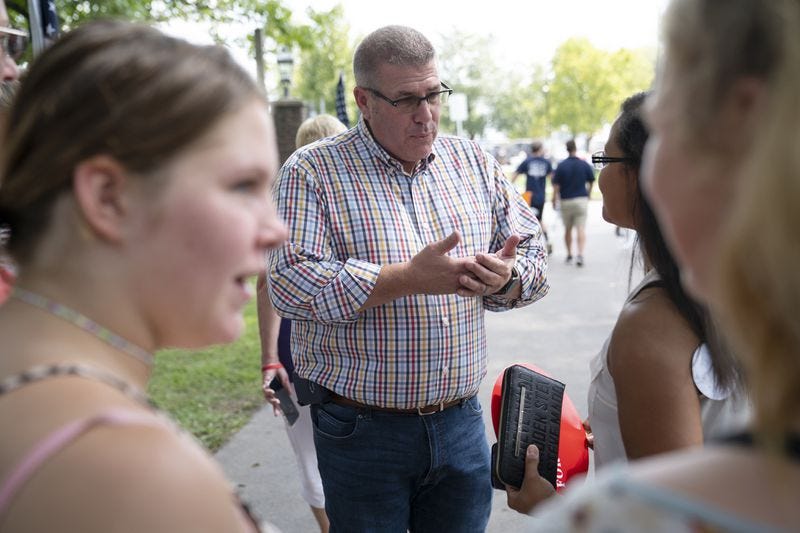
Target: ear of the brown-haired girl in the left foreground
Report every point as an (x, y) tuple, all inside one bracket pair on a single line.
[(100, 185)]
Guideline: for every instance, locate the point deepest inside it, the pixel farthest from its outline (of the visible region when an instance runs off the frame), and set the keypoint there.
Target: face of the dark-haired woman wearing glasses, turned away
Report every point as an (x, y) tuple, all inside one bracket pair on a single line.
[(618, 183)]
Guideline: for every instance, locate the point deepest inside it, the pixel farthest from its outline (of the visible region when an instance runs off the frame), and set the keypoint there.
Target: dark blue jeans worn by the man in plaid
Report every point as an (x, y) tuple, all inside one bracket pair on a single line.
[(395, 472)]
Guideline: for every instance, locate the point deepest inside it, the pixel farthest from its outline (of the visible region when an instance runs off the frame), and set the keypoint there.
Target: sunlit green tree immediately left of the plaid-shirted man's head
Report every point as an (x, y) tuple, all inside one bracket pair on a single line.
[(320, 64)]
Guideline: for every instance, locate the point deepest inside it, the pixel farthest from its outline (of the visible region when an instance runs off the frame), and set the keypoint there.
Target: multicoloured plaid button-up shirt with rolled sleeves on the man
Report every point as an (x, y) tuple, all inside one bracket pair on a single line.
[(350, 208)]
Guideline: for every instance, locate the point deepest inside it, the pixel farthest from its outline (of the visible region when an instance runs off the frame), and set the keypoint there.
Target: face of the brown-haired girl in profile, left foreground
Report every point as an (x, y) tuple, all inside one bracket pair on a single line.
[(204, 232)]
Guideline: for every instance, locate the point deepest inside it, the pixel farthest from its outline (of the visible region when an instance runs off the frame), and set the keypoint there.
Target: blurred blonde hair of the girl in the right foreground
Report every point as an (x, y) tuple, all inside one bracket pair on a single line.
[(758, 281)]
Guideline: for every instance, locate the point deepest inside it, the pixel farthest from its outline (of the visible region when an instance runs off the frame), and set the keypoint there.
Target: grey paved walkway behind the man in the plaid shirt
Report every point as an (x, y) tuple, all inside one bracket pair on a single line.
[(560, 333)]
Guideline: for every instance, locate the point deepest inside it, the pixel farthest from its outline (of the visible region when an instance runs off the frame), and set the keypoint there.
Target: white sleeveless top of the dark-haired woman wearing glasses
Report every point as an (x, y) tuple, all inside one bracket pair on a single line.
[(721, 411)]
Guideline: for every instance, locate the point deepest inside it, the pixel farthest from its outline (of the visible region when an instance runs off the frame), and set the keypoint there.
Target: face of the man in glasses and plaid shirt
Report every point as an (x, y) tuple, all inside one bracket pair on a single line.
[(406, 136)]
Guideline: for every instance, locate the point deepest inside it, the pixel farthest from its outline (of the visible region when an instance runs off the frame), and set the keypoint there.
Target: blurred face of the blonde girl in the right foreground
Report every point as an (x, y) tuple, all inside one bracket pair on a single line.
[(689, 186)]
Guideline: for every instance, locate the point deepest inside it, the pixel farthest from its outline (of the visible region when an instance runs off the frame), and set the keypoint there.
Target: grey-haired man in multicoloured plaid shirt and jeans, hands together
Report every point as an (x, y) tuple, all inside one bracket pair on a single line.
[(399, 240)]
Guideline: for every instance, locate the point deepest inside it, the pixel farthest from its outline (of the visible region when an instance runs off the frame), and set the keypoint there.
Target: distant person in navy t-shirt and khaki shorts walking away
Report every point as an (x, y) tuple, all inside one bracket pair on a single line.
[(570, 190)]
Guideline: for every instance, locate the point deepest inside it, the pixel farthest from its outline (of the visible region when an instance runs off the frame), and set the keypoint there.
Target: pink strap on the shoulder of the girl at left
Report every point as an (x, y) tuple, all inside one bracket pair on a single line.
[(60, 439)]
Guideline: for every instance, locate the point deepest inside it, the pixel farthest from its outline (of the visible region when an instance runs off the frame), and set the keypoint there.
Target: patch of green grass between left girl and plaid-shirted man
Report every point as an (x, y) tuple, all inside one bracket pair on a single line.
[(214, 391)]
